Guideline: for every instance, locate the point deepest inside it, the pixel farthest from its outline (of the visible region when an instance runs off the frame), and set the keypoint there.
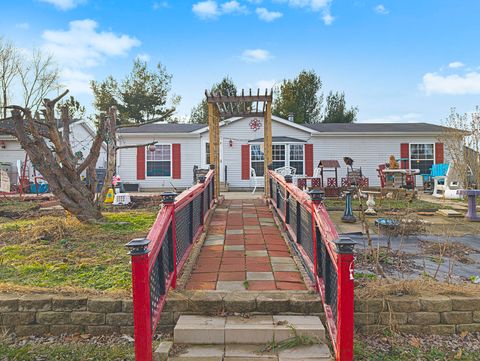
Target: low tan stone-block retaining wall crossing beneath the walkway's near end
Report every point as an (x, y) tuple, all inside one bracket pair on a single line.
[(42, 314)]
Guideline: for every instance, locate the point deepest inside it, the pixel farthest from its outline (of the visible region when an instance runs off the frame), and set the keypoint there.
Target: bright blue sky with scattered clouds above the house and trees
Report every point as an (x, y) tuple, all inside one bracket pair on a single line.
[(398, 61)]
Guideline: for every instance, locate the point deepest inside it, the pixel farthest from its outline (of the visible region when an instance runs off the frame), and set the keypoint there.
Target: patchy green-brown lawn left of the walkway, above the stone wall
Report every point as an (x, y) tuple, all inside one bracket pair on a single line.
[(59, 253)]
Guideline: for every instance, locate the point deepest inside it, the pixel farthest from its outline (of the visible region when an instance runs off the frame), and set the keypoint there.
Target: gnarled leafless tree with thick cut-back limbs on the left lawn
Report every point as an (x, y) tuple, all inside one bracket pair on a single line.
[(50, 151)]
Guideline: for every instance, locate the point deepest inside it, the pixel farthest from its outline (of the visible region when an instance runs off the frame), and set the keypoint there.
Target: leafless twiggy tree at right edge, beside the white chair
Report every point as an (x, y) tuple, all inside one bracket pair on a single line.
[(461, 138)]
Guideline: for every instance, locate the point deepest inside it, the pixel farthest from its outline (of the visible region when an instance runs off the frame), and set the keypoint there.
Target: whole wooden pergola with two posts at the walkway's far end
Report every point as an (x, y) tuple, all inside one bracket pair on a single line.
[(223, 106)]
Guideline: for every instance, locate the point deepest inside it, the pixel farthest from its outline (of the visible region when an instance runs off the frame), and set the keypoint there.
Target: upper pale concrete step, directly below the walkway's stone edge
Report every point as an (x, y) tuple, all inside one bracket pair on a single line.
[(198, 330)]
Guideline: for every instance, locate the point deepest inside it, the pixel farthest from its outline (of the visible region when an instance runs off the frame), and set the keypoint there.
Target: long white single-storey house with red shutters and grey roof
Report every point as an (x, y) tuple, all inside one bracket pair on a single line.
[(181, 147)]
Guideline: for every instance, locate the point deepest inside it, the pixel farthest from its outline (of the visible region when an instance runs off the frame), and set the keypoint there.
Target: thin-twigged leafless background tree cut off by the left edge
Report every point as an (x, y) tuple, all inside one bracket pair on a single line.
[(8, 70)]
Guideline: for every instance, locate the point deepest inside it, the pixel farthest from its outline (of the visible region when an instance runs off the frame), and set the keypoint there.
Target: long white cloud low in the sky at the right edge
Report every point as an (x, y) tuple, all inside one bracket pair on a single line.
[(434, 83)]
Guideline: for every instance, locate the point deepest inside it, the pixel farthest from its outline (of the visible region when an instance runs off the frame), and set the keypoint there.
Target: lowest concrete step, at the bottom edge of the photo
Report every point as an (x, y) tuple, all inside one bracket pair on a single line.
[(240, 352)]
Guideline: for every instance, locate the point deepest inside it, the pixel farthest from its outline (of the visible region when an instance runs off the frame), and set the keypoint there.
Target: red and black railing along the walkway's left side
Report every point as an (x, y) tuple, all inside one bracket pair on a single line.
[(157, 259)]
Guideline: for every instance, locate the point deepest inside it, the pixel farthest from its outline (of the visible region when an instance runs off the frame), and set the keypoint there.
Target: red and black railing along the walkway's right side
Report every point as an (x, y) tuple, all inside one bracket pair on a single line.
[(327, 258)]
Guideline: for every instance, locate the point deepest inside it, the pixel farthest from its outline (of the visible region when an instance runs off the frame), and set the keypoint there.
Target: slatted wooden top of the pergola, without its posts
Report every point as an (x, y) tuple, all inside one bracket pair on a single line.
[(240, 105)]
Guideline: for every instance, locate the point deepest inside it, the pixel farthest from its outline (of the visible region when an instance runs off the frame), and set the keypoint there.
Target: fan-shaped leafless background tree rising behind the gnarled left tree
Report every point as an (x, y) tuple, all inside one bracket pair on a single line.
[(38, 76)]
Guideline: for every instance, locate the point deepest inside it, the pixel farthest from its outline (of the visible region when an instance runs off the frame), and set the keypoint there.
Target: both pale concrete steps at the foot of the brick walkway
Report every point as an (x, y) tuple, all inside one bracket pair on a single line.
[(235, 338)]
